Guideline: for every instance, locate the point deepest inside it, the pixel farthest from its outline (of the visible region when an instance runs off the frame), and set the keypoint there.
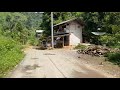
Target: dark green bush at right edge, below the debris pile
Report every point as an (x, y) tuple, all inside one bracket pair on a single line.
[(114, 57)]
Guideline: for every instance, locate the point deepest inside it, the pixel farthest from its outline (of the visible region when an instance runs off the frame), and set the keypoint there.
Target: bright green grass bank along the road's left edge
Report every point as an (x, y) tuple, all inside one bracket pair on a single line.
[(10, 55)]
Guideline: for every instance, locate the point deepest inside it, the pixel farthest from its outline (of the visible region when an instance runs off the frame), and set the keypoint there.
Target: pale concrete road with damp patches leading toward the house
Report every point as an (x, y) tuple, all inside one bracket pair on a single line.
[(58, 63)]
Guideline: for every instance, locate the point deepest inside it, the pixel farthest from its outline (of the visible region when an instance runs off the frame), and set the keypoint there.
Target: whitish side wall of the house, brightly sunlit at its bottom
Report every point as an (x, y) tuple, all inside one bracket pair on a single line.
[(75, 33)]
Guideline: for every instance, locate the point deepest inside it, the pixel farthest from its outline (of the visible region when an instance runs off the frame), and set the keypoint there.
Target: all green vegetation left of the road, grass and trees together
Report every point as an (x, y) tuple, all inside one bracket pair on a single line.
[(17, 30)]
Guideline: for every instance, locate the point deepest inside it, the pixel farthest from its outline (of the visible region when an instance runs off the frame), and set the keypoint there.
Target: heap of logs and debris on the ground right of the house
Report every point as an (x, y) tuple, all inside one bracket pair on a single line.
[(96, 50)]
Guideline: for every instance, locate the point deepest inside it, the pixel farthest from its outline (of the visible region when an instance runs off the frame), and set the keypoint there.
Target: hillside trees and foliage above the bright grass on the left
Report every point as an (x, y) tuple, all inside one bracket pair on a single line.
[(20, 25)]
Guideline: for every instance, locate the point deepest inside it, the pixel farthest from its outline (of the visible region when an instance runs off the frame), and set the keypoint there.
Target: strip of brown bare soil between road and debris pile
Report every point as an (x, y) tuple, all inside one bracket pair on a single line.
[(101, 64)]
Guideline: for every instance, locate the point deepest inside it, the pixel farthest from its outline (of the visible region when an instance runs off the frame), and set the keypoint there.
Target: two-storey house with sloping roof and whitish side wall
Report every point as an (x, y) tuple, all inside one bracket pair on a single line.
[(69, 32)]
